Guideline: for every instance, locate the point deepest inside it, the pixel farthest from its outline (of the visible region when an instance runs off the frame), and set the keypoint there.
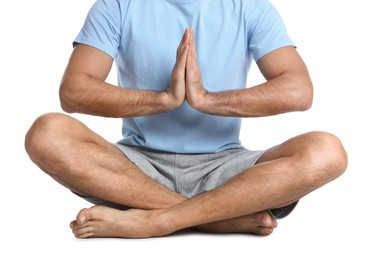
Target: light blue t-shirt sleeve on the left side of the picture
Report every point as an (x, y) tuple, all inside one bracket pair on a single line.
[(101, 28)]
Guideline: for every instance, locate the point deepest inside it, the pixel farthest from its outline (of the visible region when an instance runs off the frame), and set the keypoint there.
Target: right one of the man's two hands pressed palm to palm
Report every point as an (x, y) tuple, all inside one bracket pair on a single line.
[(195, 92)]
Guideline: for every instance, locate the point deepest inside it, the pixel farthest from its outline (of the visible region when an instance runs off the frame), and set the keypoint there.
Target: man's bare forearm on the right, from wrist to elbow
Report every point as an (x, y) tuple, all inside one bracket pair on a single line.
[(280, 95)]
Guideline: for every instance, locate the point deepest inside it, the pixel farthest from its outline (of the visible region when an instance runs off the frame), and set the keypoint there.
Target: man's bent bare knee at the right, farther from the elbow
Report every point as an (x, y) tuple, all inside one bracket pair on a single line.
[(328, 154)]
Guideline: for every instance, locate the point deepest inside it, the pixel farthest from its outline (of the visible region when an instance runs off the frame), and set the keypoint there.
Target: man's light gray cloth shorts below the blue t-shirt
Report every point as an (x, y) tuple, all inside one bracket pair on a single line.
[(189, 174)]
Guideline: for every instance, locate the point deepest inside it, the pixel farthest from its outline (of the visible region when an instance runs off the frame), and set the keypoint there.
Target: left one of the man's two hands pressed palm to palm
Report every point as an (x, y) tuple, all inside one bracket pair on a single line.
[(176, 91)]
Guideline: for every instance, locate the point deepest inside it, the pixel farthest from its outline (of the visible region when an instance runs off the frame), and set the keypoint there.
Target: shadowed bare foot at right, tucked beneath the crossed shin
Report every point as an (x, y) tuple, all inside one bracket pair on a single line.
[(259, 223)]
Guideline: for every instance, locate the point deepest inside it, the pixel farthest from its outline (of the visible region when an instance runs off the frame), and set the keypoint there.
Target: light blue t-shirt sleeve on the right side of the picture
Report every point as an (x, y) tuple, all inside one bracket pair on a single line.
[(266, 30)]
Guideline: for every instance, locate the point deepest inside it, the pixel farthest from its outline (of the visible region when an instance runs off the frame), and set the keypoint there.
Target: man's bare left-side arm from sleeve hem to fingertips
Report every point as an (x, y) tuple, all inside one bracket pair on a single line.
[(83, 88)]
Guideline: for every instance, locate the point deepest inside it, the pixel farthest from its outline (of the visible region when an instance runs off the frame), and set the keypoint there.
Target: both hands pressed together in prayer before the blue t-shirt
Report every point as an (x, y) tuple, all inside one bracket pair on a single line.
[(186, 82)]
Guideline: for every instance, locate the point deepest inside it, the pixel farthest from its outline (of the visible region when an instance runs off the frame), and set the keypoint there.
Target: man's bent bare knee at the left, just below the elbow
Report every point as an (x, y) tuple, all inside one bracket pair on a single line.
[(42, 133)]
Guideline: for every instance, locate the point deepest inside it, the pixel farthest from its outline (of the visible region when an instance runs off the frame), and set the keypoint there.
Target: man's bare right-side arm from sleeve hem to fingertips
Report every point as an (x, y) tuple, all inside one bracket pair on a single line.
[(288, 88)]
